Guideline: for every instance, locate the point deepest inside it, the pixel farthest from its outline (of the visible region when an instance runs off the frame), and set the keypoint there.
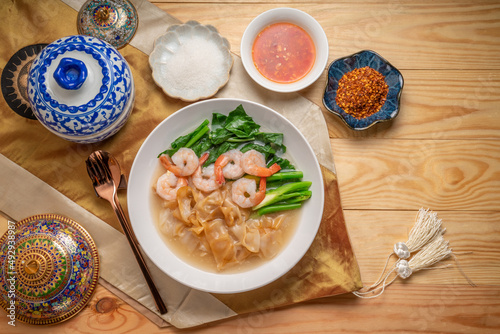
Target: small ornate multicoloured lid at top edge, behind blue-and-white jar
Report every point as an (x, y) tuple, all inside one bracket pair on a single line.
[(114, 21)]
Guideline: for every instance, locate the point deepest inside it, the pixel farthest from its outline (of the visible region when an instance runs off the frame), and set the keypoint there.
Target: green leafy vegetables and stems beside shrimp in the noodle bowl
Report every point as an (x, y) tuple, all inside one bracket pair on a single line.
[(237, 130)]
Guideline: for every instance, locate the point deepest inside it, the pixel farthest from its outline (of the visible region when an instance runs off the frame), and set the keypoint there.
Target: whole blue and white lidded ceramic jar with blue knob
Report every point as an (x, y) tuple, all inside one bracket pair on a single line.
[(81, 89)]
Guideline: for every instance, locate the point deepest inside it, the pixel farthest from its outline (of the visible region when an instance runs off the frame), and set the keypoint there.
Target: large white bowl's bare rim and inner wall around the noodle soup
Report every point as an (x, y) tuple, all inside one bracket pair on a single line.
[(143, 221)]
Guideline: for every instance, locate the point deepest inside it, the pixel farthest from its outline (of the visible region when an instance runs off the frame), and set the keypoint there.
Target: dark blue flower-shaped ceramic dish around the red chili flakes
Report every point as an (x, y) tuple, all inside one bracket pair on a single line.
[(393, 78)]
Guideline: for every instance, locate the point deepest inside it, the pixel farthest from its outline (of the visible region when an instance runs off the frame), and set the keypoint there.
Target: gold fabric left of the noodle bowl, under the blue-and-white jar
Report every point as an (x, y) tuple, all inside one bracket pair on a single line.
[(54, 160)]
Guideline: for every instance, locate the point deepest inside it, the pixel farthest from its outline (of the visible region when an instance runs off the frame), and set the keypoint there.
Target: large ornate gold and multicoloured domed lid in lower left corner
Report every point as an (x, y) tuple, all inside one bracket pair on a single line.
[(49, 269)]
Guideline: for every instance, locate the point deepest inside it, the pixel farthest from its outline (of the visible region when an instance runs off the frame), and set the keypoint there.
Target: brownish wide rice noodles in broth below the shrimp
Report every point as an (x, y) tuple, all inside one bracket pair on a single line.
[(211, 224)]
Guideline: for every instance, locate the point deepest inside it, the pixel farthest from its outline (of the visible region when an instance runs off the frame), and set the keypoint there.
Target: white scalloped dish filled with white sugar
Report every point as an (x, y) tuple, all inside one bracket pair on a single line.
[(191, 61)]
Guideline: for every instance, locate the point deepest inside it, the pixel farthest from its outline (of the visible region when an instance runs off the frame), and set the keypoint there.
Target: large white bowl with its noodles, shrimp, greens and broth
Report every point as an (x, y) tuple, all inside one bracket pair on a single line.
[(225, 195)]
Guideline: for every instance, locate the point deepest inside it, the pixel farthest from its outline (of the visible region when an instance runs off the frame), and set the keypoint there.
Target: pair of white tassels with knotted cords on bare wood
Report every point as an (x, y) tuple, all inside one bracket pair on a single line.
[(426, 236)]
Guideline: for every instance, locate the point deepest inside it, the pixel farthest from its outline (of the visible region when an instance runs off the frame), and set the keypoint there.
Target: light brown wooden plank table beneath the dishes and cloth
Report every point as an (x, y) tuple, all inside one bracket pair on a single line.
[(442, 152)]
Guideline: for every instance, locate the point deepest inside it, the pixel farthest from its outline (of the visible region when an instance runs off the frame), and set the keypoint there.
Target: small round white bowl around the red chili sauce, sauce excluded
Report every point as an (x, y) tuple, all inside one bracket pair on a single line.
[(299, 18)]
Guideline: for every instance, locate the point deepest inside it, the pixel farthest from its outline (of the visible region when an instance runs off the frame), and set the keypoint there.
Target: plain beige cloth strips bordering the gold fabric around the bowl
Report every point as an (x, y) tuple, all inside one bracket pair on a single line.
[(187, 307)]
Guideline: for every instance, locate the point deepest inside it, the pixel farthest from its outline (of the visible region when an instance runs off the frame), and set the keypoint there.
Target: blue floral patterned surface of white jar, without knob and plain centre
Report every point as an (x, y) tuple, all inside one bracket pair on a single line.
[(95, 118)]
